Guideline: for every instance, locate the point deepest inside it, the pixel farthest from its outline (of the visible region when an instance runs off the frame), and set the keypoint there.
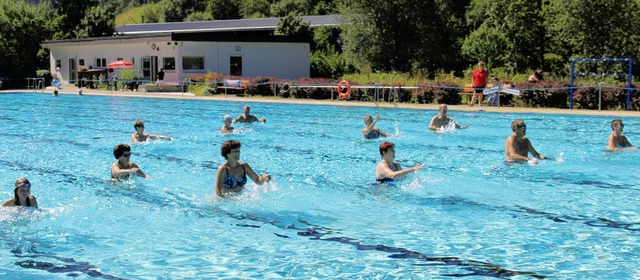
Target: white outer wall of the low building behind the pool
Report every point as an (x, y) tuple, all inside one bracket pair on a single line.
[(281, 60)]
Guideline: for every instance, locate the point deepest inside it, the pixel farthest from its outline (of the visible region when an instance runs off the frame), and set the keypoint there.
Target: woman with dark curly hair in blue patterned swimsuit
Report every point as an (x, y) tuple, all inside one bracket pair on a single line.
[(232, 175)]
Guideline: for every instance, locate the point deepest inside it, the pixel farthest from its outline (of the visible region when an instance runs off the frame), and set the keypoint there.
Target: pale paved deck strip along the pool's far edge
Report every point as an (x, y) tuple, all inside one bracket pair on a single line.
[(70, 89)]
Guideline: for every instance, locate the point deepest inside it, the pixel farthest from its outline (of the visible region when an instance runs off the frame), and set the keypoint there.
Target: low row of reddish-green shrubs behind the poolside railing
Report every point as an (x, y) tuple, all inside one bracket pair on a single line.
[(550, 94)]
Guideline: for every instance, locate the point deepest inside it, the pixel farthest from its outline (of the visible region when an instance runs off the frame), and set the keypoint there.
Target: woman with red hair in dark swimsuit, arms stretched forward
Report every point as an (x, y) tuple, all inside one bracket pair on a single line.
[(388, 170)]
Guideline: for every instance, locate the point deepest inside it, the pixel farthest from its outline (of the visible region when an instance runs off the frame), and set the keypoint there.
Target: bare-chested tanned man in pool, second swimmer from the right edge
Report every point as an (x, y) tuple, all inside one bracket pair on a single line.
[(518, 146)]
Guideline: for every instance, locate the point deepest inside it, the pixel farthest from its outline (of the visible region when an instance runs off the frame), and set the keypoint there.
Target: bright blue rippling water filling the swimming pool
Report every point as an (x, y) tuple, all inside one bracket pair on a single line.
[(465, 214)]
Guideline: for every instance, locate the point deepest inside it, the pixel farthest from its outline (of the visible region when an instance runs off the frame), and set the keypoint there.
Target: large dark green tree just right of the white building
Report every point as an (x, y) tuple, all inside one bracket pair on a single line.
[(402, 35)]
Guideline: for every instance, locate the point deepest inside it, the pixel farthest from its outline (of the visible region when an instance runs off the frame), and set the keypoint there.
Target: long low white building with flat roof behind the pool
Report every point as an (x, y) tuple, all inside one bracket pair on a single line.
[(245, 47)]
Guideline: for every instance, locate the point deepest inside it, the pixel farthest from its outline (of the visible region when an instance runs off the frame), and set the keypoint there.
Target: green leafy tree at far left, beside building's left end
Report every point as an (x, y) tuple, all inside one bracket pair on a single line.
[(22, 28)]
